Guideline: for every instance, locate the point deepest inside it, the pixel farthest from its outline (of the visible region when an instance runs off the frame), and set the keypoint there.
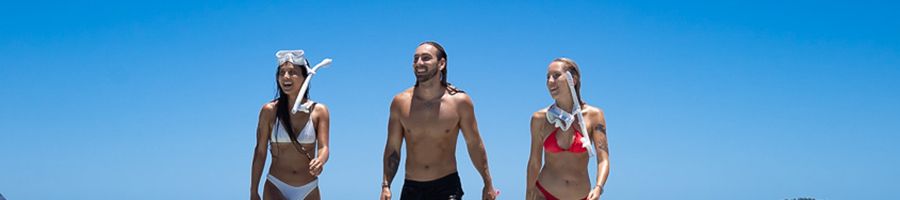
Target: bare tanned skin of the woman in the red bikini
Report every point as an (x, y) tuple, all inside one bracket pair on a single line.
[(564, 174)]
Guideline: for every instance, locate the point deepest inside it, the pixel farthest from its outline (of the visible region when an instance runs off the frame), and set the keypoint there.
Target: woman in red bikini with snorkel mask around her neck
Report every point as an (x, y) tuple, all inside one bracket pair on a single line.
[(561, 146)]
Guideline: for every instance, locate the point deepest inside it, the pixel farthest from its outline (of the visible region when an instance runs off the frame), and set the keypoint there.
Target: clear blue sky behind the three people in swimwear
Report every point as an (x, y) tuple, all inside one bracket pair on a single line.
[(704, 100)]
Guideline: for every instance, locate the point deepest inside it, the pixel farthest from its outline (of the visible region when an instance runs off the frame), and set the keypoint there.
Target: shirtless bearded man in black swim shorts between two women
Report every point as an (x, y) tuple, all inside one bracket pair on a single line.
[(429, 117)]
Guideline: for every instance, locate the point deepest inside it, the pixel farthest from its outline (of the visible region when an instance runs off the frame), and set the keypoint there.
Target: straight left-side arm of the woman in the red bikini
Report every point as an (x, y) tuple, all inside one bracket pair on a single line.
[(535, 155)]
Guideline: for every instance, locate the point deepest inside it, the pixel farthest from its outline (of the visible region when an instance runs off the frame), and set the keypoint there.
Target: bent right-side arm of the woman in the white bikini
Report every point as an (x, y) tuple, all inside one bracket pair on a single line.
[(322, 127)]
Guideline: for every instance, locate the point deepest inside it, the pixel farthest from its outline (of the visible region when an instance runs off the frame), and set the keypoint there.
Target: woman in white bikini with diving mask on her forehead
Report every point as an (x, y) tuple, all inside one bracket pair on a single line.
[(298, 141)]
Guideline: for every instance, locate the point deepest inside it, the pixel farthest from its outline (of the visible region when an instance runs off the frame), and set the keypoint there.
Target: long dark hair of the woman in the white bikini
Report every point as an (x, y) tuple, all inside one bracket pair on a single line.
[(282, 108)]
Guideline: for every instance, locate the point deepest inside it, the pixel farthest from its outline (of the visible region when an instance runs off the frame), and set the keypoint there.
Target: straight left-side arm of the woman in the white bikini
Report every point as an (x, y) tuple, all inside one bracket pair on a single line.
[(263, 128)]
